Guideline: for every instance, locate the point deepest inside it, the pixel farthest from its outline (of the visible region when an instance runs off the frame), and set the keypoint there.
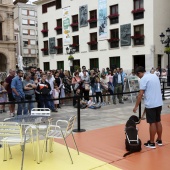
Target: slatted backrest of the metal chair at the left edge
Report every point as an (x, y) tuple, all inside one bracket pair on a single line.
[(10, 129)]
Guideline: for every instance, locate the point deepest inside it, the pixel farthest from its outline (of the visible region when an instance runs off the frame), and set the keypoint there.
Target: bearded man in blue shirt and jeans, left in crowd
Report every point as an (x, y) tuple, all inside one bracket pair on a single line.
[(17, 91)]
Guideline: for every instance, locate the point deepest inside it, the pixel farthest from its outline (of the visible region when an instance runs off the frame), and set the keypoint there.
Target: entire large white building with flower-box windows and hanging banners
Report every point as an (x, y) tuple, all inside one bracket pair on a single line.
[(105, 33)]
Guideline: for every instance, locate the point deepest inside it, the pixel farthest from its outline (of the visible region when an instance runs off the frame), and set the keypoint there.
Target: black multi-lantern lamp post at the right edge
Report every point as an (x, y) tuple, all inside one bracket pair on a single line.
[(166, 41)]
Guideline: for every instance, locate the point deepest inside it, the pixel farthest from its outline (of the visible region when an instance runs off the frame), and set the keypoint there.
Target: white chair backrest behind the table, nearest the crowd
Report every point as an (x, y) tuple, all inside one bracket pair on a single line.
[(41, 112)]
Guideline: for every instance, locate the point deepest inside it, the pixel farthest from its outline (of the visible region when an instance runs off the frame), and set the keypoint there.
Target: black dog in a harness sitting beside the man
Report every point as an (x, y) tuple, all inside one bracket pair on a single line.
[(132, 142)]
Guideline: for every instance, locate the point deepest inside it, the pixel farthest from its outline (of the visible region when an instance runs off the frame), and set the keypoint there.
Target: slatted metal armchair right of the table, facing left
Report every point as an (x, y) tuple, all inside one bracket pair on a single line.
[(55, 132)]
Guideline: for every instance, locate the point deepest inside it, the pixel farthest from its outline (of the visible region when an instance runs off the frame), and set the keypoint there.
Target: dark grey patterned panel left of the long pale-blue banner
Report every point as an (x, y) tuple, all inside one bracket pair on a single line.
[(83, 13)]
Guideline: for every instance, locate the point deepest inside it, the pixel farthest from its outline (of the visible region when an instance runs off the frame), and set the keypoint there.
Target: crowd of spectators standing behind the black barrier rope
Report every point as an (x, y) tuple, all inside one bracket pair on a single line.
[(35, 85)]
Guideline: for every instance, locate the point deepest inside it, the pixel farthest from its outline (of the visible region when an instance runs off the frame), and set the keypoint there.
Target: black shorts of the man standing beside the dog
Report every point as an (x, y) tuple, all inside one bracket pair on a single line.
[(153, 115)]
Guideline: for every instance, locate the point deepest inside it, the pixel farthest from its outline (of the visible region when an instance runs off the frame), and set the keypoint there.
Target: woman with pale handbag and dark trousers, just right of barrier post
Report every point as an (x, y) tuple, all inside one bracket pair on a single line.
[(85, 86)]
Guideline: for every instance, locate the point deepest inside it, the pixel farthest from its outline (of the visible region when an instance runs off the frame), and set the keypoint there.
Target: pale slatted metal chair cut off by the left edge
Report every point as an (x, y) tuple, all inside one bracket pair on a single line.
[(11, 133)]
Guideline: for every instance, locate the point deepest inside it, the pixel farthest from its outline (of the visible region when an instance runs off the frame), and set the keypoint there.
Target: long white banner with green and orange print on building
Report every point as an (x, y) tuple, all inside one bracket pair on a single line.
[(66, 26)]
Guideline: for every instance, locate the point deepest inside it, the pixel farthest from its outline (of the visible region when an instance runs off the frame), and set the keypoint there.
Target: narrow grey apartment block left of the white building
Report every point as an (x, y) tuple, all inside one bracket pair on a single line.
[(25, 18)]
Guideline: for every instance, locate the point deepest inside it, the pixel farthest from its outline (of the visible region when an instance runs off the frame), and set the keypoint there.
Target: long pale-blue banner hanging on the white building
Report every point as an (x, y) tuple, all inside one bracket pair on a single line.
[(102, 18)]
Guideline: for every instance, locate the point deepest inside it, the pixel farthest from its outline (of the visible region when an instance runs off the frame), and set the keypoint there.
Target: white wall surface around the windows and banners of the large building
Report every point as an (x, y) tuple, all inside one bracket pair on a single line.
[(125, 17)]
